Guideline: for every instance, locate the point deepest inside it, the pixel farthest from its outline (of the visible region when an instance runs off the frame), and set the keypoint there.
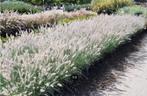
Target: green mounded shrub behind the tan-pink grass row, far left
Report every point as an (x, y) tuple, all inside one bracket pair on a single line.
[(18, 6)]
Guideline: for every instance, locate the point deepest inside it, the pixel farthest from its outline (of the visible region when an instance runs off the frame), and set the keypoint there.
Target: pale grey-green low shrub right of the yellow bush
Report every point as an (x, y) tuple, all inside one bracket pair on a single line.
[(134, 10)]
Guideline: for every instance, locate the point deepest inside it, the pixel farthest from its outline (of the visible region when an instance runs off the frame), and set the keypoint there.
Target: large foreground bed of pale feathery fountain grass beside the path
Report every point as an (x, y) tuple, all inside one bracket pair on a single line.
[(37, 64)]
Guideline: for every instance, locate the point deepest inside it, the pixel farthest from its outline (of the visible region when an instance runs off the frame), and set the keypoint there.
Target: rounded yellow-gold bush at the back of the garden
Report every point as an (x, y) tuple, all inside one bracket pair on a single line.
[(109, 6)]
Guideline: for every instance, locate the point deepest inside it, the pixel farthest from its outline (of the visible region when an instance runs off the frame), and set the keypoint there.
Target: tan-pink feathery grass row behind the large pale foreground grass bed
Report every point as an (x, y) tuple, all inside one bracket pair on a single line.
[(11, 22)]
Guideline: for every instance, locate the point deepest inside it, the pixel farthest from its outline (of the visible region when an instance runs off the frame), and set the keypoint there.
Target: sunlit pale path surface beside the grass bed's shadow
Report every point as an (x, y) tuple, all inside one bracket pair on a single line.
[(132, 82)]
